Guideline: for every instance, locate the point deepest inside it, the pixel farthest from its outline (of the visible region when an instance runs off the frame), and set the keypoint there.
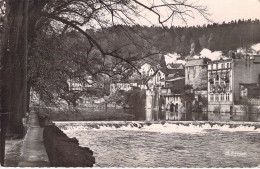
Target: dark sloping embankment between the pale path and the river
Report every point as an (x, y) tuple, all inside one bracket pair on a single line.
[(64, 151)]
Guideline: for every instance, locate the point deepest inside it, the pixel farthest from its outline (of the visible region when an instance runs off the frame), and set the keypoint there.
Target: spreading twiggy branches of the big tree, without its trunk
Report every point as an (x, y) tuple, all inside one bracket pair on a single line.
[(109, 48)]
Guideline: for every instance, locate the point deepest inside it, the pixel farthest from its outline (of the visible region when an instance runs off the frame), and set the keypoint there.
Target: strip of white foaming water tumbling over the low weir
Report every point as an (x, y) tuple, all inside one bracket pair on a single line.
[(160, 128)]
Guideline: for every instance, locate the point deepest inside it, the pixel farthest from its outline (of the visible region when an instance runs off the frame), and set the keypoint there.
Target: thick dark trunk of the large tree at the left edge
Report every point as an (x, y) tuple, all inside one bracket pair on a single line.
[(12, 62)]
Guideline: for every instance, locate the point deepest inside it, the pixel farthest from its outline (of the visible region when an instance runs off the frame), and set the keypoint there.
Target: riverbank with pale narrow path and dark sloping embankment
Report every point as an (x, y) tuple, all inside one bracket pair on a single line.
[(45, 145)]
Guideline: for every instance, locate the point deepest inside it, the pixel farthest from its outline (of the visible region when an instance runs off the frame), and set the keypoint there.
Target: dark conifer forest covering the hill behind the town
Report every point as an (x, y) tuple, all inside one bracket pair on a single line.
[(187, 40)]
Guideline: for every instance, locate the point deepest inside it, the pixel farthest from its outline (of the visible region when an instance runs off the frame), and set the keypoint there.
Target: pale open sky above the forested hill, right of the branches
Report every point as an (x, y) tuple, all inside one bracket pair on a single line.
[(221, 10)]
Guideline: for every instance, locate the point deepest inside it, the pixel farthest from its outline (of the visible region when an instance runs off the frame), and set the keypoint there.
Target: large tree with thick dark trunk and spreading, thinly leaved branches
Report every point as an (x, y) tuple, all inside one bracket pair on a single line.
[(51, 20)]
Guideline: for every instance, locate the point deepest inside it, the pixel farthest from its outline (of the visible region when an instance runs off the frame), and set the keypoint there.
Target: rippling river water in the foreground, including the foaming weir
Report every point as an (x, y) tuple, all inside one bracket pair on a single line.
[(121, 144)]
